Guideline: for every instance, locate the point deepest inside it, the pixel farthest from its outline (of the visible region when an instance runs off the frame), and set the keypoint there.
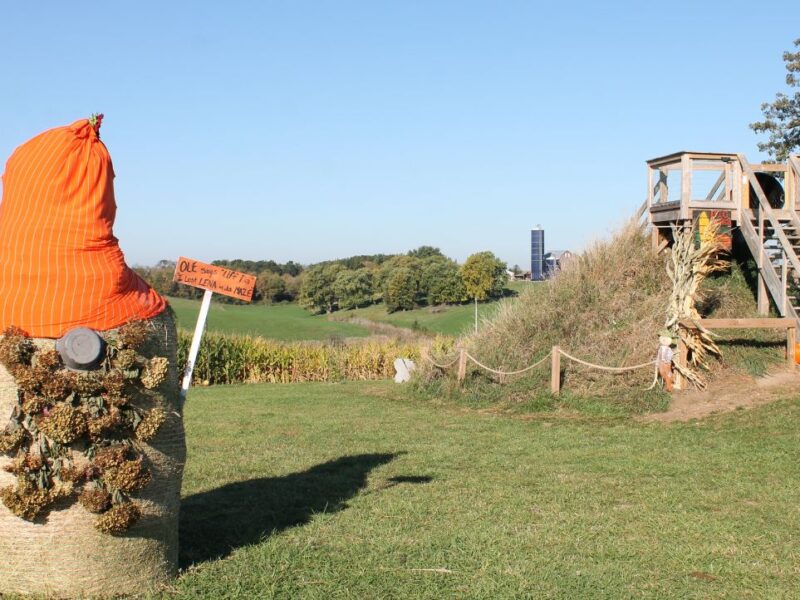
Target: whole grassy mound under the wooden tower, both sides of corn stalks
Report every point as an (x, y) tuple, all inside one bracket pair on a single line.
[(608, 309)]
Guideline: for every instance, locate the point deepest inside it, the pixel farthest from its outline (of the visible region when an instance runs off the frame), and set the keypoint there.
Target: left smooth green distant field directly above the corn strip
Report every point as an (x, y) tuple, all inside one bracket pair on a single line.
[(286, 322)]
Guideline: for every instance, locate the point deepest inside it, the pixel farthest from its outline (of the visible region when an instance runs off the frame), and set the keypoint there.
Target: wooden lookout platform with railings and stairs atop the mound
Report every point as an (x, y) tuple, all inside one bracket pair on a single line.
[(760, 201)]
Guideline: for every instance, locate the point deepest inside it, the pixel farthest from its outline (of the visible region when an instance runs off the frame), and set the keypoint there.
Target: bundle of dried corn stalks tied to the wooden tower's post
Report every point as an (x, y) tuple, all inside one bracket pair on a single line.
[(688, 267)]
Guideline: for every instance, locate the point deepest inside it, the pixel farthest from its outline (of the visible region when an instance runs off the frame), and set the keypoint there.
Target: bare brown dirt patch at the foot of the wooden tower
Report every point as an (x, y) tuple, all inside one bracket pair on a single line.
[(736, 391)]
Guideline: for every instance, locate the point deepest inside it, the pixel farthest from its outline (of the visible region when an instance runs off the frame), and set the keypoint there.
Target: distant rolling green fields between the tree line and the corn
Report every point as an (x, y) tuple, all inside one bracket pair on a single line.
[(290, 322)]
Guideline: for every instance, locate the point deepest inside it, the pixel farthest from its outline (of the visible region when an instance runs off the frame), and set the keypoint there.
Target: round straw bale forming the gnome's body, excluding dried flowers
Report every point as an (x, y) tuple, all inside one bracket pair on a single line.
[(62, 554)]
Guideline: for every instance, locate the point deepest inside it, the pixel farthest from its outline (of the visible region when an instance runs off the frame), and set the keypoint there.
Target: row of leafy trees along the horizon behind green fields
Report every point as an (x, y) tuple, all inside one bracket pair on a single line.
[(421, 277)]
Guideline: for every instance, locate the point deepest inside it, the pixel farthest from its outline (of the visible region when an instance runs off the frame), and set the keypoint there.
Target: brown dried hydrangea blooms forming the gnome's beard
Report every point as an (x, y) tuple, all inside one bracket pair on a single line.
[(60, 413)]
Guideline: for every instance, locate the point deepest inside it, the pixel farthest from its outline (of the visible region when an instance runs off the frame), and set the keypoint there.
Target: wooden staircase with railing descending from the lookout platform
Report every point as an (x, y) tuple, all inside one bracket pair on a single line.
[(773, 238)]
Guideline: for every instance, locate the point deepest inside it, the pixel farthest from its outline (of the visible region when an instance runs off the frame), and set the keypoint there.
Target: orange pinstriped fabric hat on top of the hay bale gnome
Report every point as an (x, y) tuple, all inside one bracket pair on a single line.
[(60, 264)]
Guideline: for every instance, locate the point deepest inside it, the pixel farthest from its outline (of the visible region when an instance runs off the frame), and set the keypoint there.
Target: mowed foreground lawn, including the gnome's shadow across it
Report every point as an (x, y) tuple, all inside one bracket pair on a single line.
[(351, 491)]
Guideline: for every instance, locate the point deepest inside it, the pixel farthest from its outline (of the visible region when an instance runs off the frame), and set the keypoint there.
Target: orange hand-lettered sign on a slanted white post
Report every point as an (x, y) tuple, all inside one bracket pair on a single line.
[(211, 279)]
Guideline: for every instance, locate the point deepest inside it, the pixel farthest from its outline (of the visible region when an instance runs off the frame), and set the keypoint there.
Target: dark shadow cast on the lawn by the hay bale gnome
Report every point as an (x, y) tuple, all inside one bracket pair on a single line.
[(216, 522)]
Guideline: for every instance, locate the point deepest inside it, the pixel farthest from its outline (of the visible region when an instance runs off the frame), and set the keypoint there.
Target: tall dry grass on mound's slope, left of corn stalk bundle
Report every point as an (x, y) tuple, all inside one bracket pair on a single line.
[(607, 308)]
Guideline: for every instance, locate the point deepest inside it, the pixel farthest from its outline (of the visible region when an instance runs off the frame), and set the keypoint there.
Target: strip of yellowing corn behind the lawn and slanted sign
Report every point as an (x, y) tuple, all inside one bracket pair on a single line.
[(242, 359)]
